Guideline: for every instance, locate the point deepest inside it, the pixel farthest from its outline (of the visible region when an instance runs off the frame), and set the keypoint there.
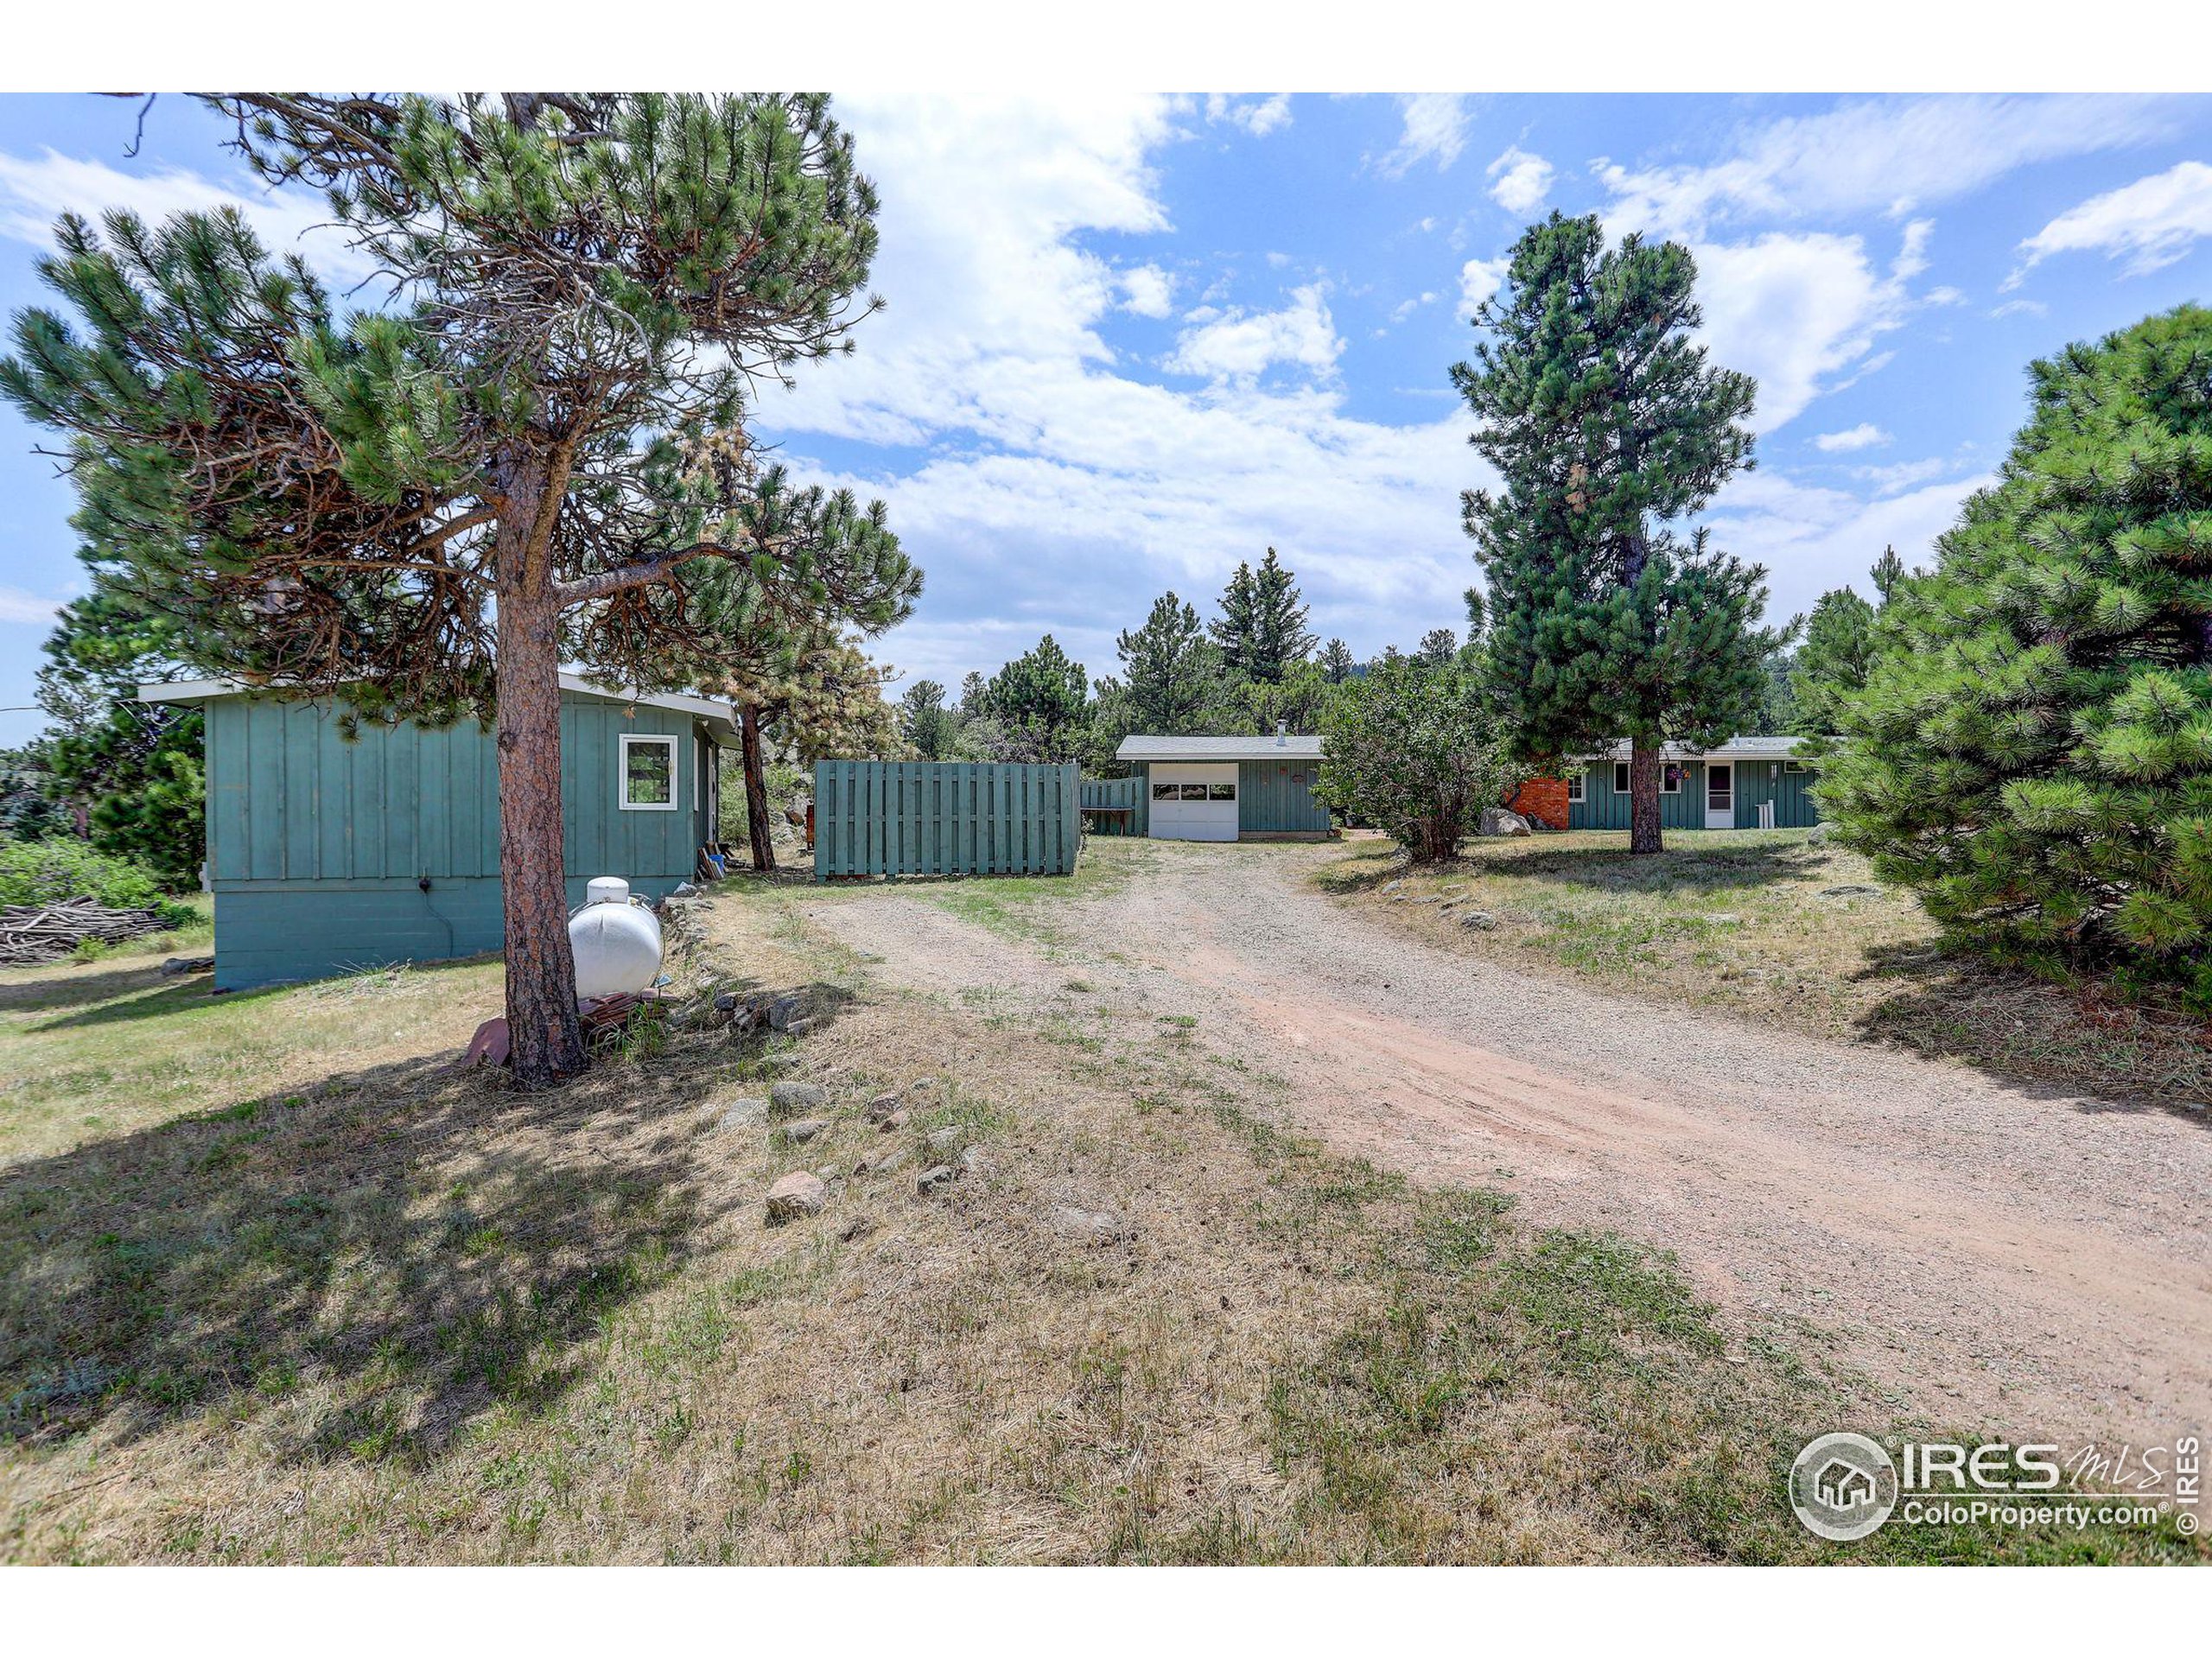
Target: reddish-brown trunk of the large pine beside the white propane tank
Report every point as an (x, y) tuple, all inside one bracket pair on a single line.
[(541, 972)]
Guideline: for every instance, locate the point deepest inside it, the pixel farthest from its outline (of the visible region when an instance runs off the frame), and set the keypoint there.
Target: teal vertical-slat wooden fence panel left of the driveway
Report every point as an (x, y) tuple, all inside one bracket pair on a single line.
[(946, 820)]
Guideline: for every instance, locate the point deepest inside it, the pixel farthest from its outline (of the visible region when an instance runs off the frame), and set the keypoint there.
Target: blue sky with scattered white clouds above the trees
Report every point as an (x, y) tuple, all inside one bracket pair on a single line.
[(1136, 340)]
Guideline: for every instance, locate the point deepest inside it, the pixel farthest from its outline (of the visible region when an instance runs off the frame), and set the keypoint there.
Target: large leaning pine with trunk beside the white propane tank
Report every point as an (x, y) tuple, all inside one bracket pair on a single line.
[(432, 503)]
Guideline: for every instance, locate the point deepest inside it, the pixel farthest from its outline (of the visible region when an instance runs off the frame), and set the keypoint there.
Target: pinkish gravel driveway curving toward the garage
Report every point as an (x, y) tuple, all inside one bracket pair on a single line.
[(1994, 1258)]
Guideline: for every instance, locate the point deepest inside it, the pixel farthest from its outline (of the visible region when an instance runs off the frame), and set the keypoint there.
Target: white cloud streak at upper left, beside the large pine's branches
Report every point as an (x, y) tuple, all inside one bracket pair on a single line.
[(36, 191)]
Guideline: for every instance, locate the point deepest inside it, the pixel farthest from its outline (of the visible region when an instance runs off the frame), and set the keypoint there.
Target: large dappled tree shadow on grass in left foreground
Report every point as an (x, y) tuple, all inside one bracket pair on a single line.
[(401, 1249)]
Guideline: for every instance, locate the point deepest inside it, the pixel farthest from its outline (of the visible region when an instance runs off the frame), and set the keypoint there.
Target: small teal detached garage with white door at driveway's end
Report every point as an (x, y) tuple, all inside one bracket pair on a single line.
[(1227, 789)]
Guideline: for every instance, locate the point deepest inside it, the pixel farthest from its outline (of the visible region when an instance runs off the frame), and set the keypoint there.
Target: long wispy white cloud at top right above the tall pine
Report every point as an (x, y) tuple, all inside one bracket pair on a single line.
[(1877, 158)]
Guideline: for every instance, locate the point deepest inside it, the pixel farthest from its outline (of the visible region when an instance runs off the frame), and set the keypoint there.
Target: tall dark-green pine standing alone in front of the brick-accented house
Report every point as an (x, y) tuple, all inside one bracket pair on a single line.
[(1605, 421)]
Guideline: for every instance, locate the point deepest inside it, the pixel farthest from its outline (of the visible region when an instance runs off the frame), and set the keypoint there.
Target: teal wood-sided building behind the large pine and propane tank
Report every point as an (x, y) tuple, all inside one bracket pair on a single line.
[(331, 853)]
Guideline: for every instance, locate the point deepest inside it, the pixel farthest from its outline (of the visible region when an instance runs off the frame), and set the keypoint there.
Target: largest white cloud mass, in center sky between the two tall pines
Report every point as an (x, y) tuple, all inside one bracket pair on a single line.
[(1058, 492)]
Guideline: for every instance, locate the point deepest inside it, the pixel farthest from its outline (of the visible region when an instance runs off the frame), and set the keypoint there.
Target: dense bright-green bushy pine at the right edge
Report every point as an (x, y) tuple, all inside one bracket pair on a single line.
[(2034, 749)]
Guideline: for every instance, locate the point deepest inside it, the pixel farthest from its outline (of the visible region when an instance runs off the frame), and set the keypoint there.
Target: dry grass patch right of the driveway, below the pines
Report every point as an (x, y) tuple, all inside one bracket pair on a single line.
[(1749, 924)]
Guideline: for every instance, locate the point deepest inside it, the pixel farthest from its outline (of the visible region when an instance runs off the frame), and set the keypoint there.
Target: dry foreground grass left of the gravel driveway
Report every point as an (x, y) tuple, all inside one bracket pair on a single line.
[(410, 1315)]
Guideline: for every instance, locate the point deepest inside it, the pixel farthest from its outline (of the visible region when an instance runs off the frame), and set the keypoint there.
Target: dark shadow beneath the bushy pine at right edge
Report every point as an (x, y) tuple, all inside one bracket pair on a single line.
[(2049, 1041)]
